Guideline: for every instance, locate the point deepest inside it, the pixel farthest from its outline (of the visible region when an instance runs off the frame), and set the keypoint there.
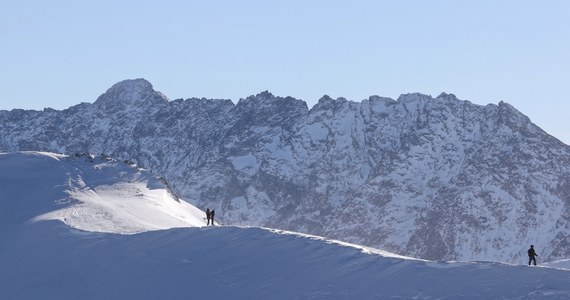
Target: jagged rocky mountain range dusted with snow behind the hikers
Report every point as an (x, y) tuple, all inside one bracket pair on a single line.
[(435, 178)]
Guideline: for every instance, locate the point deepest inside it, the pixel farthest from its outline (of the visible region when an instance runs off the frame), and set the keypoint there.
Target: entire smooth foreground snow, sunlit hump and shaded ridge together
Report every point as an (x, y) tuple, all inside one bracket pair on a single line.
[(95, 228)]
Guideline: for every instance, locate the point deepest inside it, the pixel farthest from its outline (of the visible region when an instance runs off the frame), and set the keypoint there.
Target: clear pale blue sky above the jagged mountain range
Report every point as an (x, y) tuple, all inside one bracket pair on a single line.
[(60, 53)]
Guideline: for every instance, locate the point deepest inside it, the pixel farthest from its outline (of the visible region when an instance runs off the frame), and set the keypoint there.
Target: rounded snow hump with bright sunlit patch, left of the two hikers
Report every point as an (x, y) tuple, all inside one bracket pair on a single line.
[(96, 194)]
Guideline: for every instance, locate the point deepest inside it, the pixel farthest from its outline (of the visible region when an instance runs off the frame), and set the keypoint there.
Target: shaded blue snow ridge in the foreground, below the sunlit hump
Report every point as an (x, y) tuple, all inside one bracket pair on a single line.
[(245, 263)]
